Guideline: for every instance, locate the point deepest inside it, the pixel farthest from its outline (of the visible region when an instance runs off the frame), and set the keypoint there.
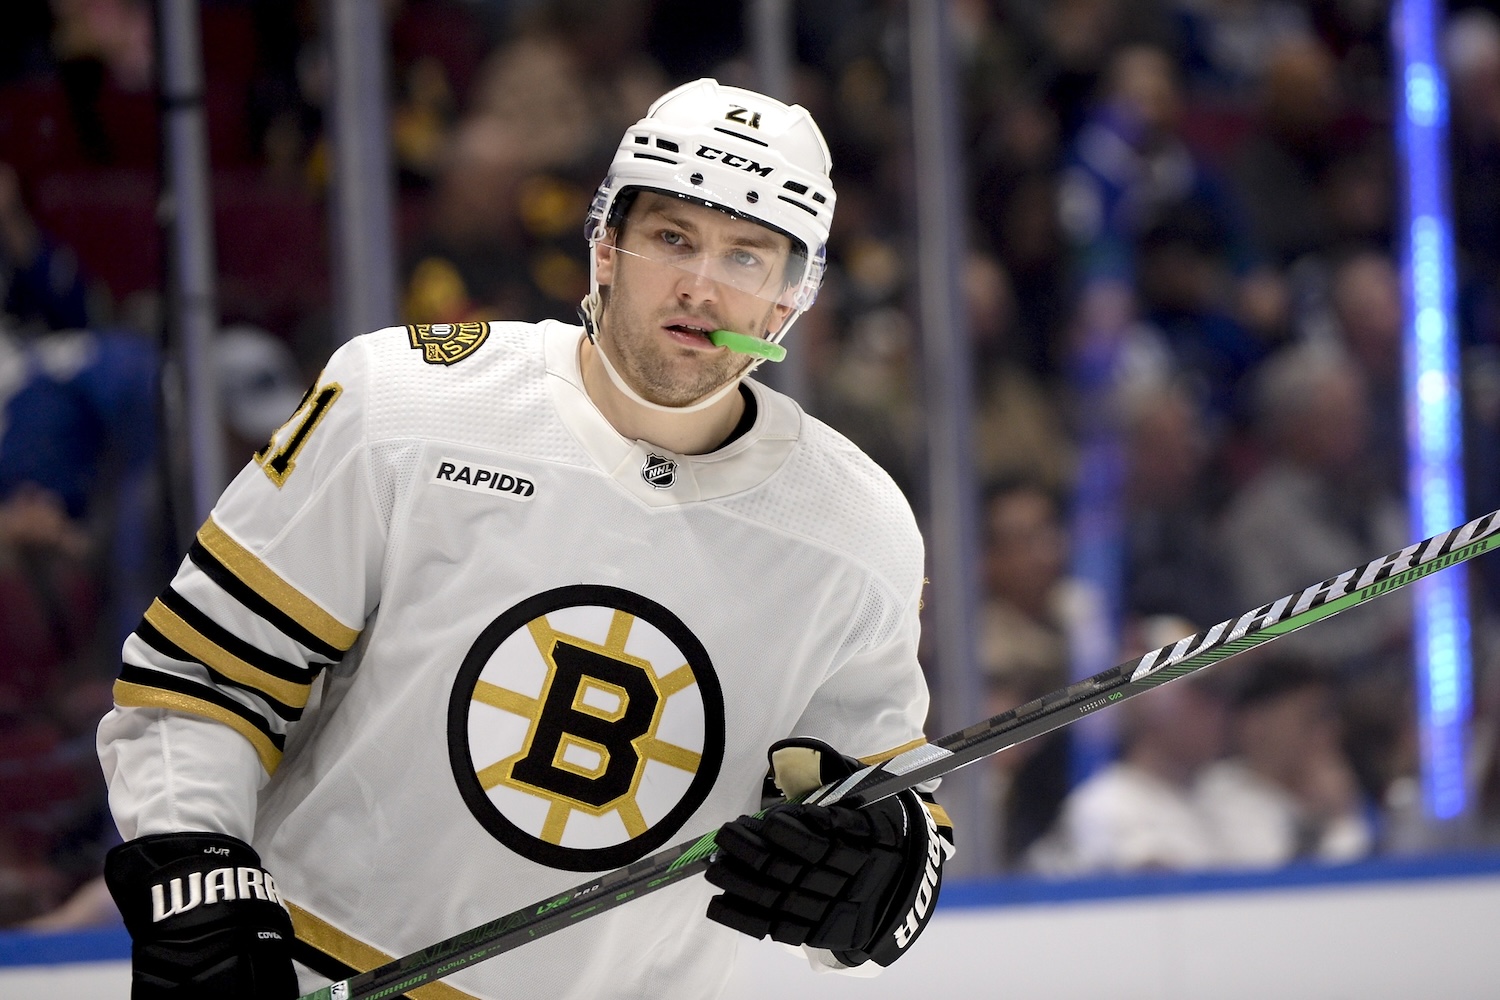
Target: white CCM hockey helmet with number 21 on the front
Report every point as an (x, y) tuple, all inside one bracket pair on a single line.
[(739, 152)]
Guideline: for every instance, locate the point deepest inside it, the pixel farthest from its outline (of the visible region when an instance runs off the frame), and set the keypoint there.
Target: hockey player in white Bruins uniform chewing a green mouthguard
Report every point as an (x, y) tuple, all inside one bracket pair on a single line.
[(503, 603)]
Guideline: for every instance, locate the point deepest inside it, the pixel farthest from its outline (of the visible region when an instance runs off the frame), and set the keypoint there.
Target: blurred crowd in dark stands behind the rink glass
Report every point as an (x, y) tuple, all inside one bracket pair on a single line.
[(1181, 236)]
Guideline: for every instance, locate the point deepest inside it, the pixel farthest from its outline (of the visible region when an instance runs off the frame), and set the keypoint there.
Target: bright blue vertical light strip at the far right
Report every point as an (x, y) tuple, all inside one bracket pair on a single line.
[(1435, 442)]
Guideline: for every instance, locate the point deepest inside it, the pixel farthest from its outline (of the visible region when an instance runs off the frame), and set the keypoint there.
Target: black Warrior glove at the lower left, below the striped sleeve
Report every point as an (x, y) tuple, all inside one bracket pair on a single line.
[(205, 918)]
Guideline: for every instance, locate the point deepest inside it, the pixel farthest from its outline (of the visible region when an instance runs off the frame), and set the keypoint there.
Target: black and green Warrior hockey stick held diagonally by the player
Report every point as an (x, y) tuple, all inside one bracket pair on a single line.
[(935, 759)]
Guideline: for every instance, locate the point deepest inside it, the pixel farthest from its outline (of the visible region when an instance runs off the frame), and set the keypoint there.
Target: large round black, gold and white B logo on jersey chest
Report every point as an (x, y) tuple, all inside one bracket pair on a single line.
[(586, 726)]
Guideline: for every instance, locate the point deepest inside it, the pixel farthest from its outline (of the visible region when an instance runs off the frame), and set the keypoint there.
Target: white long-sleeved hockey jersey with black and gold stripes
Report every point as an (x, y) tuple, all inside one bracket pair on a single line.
[(451, 641)]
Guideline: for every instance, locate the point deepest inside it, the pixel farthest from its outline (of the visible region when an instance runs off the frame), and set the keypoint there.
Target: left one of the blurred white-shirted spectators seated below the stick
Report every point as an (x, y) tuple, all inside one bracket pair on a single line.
[(1141, 812)]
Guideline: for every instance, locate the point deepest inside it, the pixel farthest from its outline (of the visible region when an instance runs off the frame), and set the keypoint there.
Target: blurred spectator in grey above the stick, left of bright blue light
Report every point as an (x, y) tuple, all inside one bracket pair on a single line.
[(1318, 506)]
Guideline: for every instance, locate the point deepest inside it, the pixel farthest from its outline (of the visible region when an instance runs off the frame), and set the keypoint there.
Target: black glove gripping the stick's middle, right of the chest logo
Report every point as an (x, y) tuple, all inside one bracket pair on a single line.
[(860, 884)]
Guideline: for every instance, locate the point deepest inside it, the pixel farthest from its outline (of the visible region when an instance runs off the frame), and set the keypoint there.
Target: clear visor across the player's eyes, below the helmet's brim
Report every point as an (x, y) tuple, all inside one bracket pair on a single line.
[(770, 275)]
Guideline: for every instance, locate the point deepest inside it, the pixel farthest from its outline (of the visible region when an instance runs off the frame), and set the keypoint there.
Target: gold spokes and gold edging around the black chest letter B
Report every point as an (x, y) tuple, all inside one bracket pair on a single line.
[(647, 746)]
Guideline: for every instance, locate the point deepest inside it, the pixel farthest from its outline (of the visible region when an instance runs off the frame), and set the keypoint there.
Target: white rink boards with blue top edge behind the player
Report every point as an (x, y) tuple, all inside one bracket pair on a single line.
[(1378, 930)]
